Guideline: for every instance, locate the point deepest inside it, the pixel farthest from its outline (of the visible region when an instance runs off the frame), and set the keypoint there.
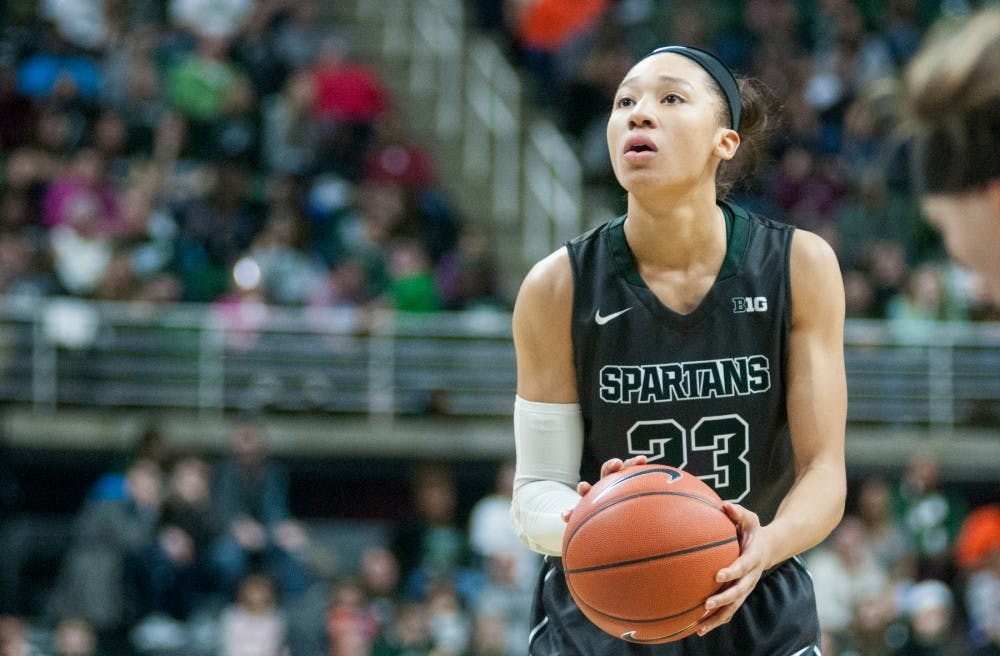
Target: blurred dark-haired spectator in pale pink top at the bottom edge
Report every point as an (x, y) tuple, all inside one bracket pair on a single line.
[(254, 625)]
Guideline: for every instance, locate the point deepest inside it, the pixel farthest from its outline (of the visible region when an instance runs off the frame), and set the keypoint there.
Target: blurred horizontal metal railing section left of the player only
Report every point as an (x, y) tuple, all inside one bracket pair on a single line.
[(63, 353)]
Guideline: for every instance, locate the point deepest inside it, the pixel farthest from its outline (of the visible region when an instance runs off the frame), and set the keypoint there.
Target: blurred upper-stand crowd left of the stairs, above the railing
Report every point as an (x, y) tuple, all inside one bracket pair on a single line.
[(225, 152)]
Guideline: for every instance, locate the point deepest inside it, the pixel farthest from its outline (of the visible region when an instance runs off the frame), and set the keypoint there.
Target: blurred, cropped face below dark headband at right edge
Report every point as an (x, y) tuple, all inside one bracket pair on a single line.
[(970, 225)]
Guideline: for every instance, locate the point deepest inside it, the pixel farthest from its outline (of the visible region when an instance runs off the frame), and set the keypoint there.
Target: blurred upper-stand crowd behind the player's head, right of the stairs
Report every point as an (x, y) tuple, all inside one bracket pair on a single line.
[(835, 163)]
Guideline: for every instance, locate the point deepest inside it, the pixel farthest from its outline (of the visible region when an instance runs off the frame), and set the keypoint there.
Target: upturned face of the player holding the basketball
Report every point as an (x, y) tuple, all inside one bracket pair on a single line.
[(665, 129)]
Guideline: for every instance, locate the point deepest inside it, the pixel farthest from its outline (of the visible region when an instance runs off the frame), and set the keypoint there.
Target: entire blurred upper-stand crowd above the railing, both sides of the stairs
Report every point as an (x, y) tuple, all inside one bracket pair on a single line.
[(243, 152)]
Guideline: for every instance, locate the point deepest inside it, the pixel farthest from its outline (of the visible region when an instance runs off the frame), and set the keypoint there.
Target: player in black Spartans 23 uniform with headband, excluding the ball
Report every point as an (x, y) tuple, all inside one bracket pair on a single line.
[(688, 332)]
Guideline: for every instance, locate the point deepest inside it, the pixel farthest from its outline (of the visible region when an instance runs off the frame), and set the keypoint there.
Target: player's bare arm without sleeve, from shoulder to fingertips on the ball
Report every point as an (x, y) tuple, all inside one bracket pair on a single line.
[(817, 412)]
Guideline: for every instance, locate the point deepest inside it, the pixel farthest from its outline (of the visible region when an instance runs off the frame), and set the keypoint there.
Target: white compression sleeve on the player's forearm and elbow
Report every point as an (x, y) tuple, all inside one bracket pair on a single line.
[(548, 438)]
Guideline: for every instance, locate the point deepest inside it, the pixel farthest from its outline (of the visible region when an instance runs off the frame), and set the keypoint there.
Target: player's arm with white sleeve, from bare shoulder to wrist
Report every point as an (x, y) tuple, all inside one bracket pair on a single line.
[(548, 428)]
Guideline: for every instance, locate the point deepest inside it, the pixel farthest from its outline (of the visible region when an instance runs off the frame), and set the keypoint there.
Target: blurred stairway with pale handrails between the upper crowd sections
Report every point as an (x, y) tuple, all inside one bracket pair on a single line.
[(531, 171)]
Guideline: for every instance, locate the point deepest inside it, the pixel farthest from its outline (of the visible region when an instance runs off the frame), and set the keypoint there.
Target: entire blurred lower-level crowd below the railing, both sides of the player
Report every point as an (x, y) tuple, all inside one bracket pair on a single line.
[(178, 552)]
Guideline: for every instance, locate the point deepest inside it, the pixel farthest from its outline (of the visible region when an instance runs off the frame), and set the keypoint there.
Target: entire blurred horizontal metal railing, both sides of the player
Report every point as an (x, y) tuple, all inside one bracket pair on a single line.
[(60, 353)]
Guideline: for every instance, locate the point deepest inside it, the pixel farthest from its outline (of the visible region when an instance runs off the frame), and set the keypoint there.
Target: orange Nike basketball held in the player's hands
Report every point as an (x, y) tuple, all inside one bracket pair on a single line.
[(641, 551)]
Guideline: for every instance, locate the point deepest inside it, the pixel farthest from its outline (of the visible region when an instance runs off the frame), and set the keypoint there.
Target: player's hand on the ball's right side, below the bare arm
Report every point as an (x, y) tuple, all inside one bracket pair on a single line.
[(742, 576)]
